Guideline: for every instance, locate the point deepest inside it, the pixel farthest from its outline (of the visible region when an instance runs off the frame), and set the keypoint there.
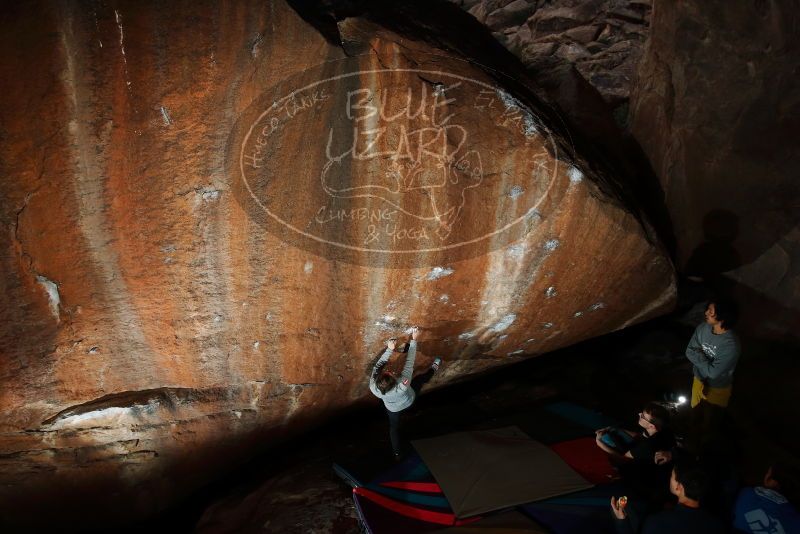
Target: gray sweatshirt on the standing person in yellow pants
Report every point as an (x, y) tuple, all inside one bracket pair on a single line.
[(714, 356)]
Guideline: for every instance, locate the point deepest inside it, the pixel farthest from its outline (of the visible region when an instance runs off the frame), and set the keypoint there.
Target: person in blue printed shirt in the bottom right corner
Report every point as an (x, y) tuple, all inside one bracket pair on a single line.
[(764, 510)]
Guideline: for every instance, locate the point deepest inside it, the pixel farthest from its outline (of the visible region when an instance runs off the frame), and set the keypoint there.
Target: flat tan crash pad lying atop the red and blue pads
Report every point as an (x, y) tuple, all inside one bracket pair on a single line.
[(482, 471)]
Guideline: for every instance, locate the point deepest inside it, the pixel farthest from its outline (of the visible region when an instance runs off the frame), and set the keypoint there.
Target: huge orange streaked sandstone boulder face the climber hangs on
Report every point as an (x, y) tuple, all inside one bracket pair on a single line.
[(214, 220)]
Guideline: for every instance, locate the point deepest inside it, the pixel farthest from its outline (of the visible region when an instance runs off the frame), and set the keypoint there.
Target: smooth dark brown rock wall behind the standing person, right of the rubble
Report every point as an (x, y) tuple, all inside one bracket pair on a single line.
[(716, 107)]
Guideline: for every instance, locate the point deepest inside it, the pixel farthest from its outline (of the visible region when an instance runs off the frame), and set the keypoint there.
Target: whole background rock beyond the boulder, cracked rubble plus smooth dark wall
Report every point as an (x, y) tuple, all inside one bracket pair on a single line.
[(709, 92)]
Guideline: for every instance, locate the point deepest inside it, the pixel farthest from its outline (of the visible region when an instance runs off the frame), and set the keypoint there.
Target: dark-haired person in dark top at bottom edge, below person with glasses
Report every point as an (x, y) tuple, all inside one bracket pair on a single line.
[(688, 483)]
